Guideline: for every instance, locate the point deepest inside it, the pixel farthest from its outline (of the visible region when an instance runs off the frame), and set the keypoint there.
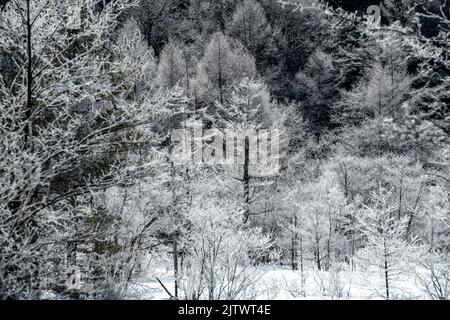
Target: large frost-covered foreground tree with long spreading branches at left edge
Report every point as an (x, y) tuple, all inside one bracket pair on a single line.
[(67, 126)]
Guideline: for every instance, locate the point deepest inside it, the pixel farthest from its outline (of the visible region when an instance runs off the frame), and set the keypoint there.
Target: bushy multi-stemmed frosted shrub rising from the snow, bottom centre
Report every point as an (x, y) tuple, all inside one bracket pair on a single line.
[(221, 255)]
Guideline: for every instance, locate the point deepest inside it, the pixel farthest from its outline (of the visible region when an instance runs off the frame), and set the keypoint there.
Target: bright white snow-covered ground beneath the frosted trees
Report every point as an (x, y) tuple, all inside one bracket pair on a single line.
[(281, 283)]
